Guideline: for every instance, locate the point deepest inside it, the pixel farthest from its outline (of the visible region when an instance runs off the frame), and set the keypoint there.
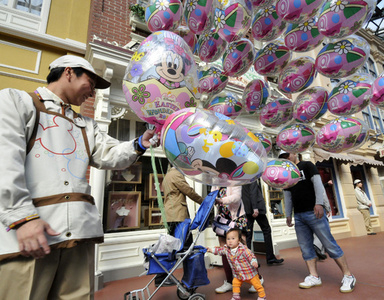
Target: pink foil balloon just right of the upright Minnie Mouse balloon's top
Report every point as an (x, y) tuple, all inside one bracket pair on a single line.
[(210, 46)]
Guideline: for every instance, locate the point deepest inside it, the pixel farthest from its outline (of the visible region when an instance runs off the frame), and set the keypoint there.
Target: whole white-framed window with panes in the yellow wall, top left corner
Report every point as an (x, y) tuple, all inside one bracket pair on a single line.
[(25, 14)]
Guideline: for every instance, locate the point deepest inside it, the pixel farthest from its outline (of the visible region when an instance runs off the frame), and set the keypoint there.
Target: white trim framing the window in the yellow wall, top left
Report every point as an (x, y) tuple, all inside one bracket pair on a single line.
[(18, 19)]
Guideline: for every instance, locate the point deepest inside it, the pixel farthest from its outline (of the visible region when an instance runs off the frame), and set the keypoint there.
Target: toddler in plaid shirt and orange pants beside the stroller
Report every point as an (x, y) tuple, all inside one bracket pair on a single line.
[(243, 263)]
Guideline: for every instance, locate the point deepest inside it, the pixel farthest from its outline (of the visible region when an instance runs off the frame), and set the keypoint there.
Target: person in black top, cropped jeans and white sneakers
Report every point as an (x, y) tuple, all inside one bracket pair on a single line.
[(307, 200)]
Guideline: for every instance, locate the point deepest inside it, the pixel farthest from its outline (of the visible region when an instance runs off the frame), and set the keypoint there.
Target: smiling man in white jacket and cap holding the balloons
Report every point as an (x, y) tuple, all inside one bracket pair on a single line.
[(49, 223)]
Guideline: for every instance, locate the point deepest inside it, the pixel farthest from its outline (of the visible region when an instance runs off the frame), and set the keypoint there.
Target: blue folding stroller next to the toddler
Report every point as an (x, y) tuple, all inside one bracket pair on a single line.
[(195, 273)]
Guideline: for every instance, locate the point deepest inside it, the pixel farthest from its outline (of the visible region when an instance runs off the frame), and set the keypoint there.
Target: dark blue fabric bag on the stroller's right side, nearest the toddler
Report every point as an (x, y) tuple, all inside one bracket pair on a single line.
[(195, 273)]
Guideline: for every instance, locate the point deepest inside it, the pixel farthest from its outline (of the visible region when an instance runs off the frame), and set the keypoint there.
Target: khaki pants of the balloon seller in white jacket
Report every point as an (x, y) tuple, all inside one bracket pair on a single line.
[(64, 274)]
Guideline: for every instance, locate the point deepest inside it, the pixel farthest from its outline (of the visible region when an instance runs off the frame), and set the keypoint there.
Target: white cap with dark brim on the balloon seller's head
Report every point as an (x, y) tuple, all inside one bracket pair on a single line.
[(79, 62)]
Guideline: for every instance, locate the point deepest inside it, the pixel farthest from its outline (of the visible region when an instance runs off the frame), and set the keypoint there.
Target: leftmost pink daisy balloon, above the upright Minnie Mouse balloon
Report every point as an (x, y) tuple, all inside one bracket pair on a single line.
[(163, 15)]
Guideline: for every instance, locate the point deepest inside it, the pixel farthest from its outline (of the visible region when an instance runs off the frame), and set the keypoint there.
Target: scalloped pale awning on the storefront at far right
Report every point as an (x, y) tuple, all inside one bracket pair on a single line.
[(353, 159)]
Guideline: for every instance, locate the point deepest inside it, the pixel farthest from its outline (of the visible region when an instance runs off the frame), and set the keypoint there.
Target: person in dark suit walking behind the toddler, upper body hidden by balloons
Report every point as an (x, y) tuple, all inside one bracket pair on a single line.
[(255, 210)]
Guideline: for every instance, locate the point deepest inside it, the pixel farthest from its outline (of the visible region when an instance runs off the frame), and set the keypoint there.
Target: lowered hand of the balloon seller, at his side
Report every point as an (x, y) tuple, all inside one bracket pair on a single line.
[(32, 240)]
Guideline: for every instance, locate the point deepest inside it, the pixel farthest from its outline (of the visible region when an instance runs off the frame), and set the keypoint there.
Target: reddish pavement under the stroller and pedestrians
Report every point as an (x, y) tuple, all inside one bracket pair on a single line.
[(364, 256)]
